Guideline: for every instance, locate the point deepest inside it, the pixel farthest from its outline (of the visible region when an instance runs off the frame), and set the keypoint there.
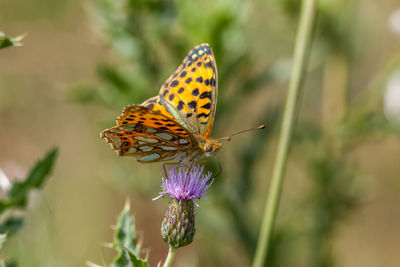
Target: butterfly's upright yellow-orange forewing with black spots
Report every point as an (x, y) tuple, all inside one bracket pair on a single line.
[(190, 94)]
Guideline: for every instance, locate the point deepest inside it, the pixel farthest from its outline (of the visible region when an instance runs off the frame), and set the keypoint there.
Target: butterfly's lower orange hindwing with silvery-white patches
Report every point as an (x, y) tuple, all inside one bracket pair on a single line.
[(149, 136)]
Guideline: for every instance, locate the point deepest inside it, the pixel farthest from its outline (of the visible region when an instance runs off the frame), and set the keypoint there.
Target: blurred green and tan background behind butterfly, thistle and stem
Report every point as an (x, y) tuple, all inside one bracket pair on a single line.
[(82, 61)]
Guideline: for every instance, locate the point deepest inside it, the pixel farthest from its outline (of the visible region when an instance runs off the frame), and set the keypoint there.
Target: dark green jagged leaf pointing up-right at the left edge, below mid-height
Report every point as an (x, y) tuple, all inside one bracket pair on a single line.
[(18, 194)]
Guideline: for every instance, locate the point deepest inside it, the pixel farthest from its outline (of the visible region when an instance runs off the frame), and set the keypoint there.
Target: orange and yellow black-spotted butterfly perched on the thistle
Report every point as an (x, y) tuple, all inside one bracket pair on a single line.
[(176, 124)]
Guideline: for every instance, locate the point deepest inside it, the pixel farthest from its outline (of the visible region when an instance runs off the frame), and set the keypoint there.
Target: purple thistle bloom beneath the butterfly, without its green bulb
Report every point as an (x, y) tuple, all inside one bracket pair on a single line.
[(182, 186)]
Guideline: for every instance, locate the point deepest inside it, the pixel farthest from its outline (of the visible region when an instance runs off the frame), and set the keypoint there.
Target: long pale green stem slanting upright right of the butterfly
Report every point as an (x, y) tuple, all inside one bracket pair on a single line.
[(301, 53)]
